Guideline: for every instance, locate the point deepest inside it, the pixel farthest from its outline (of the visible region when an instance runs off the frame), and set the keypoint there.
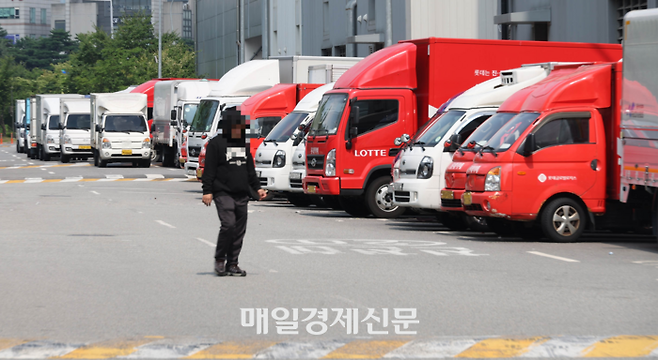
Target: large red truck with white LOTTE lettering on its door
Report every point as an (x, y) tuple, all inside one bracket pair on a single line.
[(350, 147)]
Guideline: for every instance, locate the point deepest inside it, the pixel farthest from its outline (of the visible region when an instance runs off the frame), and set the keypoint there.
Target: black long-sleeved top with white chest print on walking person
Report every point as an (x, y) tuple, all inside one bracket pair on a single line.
[(231, 175)]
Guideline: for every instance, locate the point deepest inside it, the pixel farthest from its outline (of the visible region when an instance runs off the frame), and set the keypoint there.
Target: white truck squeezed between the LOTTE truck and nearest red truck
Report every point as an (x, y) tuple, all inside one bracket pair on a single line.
[(418, 172)]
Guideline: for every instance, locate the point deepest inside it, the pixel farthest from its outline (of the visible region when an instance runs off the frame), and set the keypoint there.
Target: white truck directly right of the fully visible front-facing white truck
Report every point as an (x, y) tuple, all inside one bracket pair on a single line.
[(174, 104)]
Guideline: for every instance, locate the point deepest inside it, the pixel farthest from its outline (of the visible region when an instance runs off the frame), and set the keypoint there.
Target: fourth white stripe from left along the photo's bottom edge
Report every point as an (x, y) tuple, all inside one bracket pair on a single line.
[(432, 349)]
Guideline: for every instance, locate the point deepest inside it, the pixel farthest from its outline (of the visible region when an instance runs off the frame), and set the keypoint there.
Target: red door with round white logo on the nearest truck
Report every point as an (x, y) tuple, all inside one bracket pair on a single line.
[(564, 160)]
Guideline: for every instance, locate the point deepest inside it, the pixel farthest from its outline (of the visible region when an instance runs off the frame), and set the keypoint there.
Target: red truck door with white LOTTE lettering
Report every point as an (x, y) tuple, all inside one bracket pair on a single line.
[(378, 126)]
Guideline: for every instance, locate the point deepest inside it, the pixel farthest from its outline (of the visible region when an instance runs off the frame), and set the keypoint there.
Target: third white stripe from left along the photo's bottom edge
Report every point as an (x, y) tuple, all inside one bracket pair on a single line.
[(301, 350)]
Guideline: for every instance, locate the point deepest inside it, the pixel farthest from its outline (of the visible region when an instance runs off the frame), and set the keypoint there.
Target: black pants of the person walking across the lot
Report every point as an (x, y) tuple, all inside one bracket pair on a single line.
[(233, 225)]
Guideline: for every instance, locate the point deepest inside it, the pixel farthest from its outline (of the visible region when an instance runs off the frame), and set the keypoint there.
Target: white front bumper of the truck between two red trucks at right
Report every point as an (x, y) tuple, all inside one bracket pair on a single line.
[(416, 194)]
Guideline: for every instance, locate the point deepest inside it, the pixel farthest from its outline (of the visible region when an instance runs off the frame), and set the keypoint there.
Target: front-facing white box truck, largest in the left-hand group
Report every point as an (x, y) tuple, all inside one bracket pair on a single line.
[(119, 132)]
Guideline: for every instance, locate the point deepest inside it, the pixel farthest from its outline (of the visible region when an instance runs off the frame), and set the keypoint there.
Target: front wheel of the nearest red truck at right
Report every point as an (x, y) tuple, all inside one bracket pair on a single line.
[(563, 220)]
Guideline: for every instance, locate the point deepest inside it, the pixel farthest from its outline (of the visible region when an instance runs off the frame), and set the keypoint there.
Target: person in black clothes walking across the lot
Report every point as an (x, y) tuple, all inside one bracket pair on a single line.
[(229, 178)]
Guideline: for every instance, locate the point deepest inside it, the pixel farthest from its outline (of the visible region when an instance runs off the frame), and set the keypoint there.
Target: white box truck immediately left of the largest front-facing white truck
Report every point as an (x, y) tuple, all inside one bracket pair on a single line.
[(74, 129)]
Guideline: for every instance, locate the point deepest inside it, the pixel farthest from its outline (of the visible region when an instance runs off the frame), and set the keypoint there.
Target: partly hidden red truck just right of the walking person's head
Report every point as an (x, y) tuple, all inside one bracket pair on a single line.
[(265, 109)]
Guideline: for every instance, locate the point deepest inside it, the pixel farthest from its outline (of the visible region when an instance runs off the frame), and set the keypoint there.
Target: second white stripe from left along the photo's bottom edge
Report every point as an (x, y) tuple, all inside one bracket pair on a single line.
[(170, 349)]
